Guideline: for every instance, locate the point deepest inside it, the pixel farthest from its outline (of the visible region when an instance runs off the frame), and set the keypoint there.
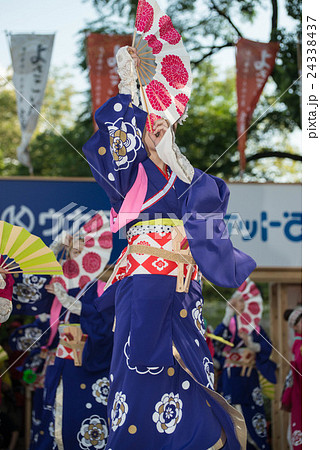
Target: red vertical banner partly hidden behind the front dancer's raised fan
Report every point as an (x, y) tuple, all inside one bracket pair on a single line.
[(101, 57)]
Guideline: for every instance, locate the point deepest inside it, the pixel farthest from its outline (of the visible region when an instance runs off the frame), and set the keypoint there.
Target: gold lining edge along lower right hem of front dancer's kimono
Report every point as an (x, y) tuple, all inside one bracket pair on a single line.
[(236, 417)]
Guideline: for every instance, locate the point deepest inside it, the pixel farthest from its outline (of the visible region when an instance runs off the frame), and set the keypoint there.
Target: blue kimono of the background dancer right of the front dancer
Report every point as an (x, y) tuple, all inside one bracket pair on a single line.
[(245, 390)]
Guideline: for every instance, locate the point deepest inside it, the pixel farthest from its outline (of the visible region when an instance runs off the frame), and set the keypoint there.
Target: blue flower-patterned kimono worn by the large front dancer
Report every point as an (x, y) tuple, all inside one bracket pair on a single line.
[(161, 373)]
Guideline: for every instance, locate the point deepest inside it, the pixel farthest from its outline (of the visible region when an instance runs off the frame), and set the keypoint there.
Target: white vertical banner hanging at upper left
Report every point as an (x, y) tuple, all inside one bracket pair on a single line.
[(31, 55)]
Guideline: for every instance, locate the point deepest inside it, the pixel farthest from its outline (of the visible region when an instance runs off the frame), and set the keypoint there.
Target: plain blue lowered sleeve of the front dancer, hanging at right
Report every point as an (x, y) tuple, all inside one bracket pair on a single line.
[(204, 207)]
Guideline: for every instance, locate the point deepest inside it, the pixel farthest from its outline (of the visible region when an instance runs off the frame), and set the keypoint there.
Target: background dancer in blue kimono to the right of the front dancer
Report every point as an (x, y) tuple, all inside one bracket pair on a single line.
[(239, 381)]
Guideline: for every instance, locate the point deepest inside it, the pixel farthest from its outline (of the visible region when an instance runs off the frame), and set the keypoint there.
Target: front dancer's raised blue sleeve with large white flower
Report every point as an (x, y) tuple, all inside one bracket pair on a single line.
[(116, 149)]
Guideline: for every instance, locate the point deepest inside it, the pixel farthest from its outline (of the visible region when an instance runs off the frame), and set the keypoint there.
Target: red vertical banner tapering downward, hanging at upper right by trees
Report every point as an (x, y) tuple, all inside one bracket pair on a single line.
[(255, 62)]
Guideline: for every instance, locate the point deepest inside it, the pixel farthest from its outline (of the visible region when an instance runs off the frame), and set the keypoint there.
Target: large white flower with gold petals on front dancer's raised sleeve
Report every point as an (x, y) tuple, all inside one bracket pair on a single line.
[(125, 141)]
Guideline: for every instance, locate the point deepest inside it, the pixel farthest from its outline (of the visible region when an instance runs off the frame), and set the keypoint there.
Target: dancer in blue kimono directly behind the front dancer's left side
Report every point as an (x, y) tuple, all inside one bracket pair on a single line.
[(77, 385)]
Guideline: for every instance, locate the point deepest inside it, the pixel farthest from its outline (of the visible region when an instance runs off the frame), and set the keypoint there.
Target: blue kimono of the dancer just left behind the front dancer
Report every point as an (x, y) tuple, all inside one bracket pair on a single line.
[(75, 397)]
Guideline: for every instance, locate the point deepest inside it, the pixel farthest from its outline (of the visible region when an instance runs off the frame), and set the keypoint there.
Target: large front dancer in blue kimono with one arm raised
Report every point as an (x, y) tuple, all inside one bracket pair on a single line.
[(161, 374)]
